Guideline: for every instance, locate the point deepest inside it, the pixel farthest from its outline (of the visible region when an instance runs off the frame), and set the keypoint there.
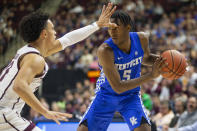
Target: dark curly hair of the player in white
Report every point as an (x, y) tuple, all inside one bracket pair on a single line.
[(31, 25)]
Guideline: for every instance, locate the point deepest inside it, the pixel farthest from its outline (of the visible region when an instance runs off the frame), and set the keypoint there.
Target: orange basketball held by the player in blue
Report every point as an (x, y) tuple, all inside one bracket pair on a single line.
[(176, 64)]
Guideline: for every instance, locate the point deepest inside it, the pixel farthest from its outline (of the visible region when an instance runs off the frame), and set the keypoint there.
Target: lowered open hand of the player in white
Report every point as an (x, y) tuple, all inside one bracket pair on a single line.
[(56, 116)]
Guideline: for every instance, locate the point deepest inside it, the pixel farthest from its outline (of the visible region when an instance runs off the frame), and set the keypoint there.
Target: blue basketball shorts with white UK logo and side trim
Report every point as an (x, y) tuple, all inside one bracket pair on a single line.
[(101, 111)]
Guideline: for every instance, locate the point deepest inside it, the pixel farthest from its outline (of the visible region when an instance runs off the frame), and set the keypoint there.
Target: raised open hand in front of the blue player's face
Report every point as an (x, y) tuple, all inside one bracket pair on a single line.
[(104, 19)]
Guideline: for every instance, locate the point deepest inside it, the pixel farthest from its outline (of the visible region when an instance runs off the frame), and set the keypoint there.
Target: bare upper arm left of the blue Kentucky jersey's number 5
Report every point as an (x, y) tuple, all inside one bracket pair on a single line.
[(106, 60)]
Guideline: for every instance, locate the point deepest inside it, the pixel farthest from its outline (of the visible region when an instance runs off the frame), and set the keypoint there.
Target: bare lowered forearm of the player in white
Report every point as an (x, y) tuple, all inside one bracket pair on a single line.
[(26, 94)]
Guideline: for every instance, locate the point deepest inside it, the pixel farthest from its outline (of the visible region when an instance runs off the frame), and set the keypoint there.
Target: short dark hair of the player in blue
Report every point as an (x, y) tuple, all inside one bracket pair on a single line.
[(124, 18)]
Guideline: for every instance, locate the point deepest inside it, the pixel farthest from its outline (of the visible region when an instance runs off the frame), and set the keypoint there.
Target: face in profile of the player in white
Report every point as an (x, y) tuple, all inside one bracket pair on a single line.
[(50, 32)]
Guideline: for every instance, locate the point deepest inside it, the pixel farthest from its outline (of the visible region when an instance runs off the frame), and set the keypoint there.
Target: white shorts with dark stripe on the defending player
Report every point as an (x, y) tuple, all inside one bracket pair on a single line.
[(12, 121)]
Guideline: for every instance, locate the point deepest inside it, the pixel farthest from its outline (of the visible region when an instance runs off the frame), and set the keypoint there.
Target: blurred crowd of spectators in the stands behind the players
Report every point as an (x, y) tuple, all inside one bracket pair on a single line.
[(172, 25)]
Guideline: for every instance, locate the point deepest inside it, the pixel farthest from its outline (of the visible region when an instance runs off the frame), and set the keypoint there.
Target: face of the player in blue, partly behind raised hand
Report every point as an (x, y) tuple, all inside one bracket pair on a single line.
[(118, 33)]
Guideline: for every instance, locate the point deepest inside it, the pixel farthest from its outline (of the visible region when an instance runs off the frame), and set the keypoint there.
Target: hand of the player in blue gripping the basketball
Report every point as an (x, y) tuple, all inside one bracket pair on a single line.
[(157, 67)]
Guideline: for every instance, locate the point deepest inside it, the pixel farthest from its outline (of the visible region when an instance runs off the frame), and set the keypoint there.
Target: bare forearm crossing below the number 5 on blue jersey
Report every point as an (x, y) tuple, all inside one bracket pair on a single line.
[(133, 83)]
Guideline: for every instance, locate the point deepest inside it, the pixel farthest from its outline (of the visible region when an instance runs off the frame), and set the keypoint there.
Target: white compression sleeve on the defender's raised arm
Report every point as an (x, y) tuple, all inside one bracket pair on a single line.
[(78, 35)]
